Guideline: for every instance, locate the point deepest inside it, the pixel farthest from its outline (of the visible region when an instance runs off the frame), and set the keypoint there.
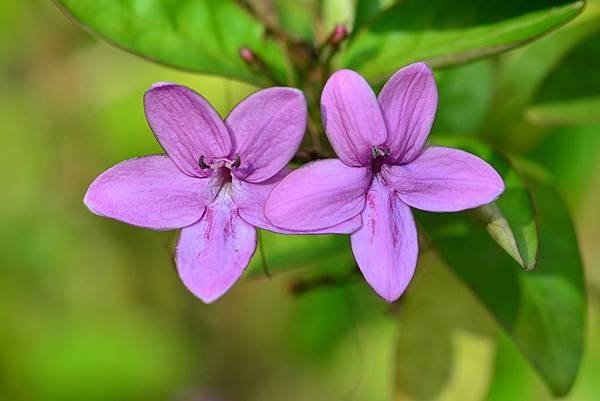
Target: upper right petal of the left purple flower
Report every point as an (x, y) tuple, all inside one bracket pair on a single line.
[(267, 128)]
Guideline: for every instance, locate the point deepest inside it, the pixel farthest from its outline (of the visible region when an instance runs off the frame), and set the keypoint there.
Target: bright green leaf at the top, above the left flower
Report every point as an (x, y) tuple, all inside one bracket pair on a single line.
[(197, 35)]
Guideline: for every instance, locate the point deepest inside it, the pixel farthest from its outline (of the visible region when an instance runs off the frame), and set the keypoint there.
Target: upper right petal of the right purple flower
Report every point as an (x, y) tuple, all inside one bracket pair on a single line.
[(409, 102)]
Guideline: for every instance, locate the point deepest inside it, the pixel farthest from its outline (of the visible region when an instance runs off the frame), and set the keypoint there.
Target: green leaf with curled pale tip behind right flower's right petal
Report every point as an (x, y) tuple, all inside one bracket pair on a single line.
[(510, 221)]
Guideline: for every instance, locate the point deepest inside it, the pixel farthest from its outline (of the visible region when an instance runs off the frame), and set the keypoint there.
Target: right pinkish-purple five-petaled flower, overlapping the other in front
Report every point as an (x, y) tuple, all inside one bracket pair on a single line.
[(383, 169)]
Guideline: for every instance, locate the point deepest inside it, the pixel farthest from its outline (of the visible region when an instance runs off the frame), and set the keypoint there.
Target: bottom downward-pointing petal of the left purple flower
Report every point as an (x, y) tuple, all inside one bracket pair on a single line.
[(212, 254)]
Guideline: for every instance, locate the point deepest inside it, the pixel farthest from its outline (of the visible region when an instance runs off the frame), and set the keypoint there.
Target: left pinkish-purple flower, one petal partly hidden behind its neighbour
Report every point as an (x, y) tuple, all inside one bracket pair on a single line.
[(213, 181)]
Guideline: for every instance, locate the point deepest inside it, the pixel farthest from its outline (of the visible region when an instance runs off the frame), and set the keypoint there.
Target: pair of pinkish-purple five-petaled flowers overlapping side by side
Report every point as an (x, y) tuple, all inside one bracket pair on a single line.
[(221, 179)]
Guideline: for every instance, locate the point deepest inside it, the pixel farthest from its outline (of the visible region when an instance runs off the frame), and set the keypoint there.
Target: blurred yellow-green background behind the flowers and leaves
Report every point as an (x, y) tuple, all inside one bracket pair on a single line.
[(92, 309)]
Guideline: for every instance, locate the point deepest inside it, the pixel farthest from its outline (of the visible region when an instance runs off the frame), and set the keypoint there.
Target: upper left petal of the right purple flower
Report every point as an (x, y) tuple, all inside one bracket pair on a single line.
[(352, 117)]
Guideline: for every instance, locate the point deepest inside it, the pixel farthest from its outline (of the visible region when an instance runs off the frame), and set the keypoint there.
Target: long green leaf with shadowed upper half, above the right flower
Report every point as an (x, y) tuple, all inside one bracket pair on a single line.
[(446, 33)]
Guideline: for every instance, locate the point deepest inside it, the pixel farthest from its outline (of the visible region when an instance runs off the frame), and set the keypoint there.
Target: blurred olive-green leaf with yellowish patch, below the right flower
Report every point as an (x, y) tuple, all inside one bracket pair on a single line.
[(445, 336)]
